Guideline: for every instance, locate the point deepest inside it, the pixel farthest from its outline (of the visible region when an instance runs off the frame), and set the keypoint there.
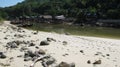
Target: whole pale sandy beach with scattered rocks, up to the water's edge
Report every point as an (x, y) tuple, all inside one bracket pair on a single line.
[(82, 51)]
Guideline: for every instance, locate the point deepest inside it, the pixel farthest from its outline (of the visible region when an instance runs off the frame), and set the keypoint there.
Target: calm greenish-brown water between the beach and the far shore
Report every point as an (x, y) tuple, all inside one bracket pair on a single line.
[(78, 30)]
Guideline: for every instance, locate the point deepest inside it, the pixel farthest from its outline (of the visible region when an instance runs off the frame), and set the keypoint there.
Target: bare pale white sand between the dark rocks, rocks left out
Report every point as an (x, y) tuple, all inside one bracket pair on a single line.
[(89, 45)]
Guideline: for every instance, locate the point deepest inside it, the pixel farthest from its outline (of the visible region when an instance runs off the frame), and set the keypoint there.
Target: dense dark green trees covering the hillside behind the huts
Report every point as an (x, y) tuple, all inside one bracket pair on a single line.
[(107, 9)]
